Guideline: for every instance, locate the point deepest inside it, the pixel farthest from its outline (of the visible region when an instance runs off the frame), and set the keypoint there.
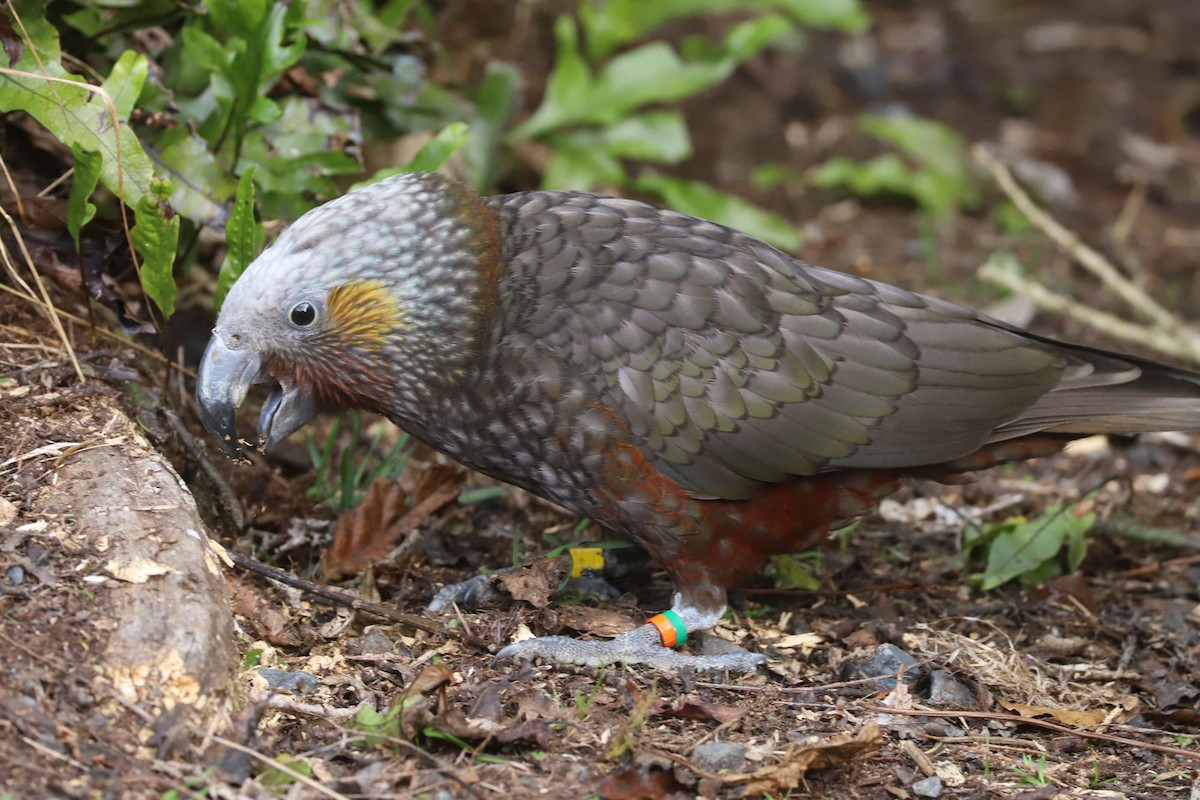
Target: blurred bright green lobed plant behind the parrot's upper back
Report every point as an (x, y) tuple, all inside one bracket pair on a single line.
[(603, 109)]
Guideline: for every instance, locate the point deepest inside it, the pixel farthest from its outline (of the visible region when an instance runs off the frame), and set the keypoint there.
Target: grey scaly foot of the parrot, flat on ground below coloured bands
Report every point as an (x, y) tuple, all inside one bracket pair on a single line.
[(641, 646)]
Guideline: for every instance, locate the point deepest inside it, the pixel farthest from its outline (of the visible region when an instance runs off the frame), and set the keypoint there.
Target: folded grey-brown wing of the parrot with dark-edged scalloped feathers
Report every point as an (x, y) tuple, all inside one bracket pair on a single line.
[(735, 365)]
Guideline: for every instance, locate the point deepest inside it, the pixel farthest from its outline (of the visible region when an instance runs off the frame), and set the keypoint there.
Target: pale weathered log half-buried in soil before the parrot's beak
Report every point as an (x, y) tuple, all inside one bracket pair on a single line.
[(172, 636)]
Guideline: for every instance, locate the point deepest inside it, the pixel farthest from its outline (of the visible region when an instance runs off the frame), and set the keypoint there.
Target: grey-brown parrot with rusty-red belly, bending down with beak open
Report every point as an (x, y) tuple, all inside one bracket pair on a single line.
[(679, 382)]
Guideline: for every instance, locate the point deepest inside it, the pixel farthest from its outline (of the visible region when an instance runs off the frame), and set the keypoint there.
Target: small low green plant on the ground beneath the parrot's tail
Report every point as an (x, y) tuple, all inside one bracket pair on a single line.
[(1031, 550)]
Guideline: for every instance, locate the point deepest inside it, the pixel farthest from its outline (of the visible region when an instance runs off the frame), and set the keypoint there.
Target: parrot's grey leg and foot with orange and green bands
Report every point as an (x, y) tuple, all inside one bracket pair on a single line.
[(651, 645)]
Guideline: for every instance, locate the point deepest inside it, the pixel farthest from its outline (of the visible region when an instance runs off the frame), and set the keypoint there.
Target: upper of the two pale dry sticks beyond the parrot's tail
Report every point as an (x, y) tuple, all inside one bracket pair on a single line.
[(1085, 256)]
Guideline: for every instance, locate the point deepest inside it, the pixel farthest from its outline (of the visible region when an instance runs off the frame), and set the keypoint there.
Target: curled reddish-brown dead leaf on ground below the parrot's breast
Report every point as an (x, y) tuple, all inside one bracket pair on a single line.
[(369, 532)]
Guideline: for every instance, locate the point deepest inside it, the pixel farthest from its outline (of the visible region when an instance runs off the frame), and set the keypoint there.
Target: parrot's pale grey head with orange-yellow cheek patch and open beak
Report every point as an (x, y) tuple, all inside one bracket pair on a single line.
[(373, 300)]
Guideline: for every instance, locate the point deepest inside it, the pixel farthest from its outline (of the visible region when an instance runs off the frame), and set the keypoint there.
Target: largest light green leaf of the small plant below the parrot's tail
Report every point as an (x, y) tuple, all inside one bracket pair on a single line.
[(1024, 549)]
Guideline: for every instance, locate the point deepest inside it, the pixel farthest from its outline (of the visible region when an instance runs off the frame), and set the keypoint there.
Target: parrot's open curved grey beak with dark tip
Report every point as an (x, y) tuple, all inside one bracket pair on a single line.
[(221, 386)]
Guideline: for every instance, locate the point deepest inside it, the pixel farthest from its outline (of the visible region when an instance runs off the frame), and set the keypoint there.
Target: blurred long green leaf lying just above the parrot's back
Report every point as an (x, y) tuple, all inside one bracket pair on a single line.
[(703, 201)]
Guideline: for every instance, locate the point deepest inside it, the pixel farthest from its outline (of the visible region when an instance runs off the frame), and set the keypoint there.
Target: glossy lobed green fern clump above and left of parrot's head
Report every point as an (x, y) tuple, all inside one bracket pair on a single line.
[(214, 136)]
